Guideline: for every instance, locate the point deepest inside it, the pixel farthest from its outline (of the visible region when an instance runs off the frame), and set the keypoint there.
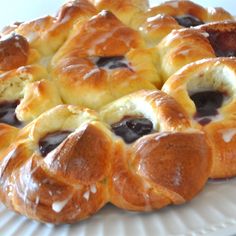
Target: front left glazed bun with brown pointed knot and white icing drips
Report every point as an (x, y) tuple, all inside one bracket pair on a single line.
[(56, 170)]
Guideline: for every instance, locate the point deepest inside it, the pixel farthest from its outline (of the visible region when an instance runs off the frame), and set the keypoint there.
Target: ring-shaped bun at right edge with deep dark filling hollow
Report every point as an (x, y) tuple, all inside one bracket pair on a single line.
[(206, 89)]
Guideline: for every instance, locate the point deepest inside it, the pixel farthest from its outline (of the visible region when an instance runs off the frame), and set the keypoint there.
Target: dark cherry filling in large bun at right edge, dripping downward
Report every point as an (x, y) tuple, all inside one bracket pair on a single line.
[(207, 103)]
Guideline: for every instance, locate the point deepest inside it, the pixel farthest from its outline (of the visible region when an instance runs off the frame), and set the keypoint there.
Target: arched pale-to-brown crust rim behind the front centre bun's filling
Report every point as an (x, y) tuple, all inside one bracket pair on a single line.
[(164, 112)]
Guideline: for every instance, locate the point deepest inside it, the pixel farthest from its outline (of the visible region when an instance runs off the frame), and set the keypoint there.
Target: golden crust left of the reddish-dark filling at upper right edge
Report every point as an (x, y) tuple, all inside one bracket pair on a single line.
[(182, 47)]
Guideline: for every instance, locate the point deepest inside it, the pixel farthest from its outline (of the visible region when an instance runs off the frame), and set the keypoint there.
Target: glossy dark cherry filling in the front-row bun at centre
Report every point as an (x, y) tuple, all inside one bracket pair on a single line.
[(131, 129)]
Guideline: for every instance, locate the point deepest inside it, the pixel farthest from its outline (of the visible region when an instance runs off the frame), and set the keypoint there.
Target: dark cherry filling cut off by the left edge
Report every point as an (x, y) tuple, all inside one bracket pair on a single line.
[(7, 113)]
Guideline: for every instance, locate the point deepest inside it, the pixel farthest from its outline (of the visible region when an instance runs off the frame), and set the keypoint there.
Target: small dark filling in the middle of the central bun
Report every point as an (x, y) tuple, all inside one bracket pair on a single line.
[(112, 62)]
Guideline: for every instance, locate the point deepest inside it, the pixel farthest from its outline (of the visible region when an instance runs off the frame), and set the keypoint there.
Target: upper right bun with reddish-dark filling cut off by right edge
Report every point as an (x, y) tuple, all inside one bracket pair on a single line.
[(184, 46)]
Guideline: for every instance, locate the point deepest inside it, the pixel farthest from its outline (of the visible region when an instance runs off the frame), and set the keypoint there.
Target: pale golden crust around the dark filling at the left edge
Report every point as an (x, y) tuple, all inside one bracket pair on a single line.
[(29, 85)]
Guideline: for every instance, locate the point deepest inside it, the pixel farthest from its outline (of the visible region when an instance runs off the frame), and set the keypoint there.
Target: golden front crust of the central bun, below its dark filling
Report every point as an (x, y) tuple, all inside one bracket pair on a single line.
[(80, 82)]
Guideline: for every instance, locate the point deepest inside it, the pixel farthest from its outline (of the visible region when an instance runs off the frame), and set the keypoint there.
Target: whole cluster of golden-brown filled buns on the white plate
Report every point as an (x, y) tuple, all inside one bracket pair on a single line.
[(113, 101)]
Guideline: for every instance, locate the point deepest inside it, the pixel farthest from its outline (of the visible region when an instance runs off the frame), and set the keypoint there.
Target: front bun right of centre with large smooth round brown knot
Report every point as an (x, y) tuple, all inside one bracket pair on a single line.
[(158, 159)]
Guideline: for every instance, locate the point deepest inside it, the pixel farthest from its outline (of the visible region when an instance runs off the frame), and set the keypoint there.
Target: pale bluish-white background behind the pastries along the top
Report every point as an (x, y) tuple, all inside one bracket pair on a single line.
[(22, 10)]
